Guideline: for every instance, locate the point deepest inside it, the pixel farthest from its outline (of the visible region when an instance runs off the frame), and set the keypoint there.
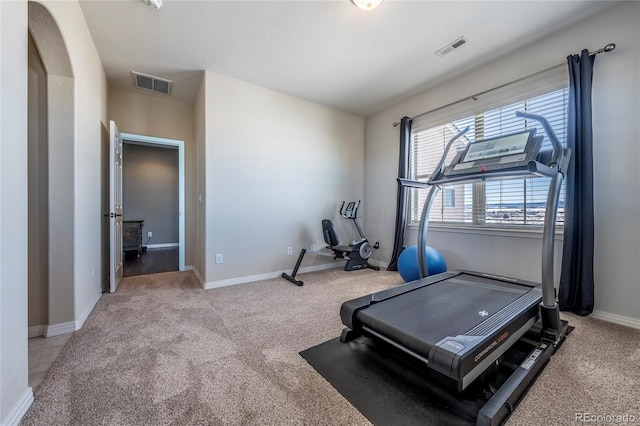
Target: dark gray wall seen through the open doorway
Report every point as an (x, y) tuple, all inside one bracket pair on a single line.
[(150, 190)]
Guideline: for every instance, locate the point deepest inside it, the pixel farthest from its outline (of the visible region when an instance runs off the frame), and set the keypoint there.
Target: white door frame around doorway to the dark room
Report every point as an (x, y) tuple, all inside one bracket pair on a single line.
[(165, 143)]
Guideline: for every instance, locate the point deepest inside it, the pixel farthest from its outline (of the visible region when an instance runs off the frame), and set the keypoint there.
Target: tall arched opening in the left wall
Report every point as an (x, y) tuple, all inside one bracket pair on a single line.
[(58, 184)]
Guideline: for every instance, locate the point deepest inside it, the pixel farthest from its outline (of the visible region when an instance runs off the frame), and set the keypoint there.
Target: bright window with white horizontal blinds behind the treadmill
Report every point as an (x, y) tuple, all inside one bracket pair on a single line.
[(494, 203)]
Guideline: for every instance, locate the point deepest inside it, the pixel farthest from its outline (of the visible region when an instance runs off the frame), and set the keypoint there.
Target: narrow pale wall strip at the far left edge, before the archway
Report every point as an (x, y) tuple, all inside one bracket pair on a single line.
[(14, 391)]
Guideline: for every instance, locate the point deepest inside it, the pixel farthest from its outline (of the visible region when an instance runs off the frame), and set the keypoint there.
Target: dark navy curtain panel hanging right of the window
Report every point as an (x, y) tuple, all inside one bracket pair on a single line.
[(576, 280)]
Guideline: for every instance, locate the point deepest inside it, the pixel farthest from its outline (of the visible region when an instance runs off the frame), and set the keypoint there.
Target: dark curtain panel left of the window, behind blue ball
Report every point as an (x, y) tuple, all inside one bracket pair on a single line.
[(401, 204)]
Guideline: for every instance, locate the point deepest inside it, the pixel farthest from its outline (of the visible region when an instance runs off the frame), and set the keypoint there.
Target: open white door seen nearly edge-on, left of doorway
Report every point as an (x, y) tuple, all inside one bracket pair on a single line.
[(115, 207)]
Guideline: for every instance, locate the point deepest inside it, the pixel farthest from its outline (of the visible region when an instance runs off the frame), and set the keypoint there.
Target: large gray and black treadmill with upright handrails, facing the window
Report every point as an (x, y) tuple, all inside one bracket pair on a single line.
[(461, 323)]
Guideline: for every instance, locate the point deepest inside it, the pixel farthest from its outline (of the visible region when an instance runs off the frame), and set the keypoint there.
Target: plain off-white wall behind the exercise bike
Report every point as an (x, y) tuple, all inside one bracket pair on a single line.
[(275, 166)]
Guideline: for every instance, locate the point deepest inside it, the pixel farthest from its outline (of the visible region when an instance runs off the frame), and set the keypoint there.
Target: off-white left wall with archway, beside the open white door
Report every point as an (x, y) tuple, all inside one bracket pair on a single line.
[(77, 111)]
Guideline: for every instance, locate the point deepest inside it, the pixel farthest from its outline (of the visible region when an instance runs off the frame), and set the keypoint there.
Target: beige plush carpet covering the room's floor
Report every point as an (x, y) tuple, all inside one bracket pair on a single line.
[(163, 351)]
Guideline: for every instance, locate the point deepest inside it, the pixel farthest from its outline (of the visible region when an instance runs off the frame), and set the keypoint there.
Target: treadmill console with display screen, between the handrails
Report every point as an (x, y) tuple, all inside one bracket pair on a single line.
[(493, 155)]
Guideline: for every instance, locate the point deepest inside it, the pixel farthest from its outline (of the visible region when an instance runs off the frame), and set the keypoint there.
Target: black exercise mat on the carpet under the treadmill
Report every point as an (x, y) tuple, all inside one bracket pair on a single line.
[(387, 386)]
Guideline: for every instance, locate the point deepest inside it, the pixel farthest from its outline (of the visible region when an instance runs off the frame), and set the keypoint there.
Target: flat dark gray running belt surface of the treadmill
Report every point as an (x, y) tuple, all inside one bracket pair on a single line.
[(422, 317)]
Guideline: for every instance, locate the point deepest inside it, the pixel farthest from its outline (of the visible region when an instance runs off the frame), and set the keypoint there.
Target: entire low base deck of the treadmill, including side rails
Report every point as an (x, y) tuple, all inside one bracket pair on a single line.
[(459, 325)]
